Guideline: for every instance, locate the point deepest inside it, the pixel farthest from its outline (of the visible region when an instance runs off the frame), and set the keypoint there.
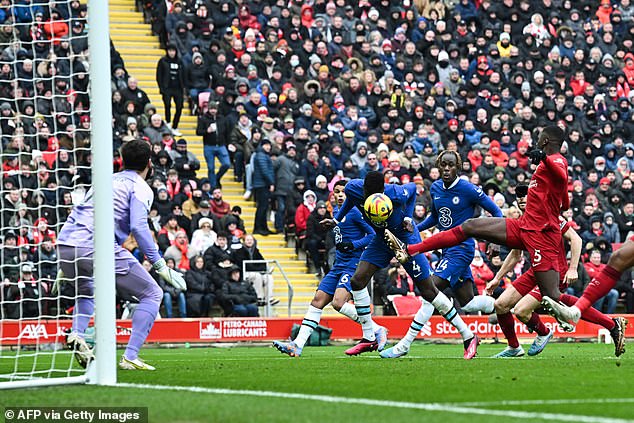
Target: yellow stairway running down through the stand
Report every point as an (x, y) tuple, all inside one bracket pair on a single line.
[(141, 51)]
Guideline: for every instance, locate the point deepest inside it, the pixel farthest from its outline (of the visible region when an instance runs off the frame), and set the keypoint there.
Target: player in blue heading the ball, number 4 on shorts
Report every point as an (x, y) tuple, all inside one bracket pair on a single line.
[(378, 255)]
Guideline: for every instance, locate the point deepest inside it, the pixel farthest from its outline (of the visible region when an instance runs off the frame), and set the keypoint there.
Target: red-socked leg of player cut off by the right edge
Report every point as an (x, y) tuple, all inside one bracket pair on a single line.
[(621, 260)]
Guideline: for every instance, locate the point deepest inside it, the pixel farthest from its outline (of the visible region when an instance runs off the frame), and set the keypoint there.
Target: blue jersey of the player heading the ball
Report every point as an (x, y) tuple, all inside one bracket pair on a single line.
[(403, 199)]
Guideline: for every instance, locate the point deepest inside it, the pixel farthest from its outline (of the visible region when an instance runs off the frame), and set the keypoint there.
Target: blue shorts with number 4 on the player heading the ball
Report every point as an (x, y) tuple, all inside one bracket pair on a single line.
[(379, 254)]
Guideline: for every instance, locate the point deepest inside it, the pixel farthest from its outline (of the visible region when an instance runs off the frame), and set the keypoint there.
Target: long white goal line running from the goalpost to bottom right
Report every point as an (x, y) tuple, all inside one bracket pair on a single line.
[(448, 408)]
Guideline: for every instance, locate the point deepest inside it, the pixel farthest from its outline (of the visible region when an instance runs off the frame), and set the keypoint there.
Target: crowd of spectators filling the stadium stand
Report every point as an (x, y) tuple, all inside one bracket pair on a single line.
[(295, 95)]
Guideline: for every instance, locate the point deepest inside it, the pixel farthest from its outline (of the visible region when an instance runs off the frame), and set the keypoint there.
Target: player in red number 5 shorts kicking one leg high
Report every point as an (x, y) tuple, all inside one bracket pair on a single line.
[(537, 231)]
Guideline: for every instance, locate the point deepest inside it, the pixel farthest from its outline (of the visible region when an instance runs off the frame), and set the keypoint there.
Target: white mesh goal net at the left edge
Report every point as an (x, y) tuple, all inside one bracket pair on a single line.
[(45, 122)]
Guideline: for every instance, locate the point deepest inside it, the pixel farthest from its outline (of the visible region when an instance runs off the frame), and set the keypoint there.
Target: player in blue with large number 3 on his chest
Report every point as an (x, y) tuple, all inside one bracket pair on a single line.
[(454, 200)]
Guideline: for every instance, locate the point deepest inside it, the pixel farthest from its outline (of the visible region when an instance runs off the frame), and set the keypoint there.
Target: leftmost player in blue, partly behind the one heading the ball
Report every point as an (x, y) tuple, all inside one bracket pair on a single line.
[(352, 235)]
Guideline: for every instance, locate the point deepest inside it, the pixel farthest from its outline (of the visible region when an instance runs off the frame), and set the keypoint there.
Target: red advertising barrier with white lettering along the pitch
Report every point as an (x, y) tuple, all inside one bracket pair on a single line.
[(255, 329)]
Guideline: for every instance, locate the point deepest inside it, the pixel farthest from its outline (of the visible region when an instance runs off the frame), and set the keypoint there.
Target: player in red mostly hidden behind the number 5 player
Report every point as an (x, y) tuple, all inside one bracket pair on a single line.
[(525, 297)]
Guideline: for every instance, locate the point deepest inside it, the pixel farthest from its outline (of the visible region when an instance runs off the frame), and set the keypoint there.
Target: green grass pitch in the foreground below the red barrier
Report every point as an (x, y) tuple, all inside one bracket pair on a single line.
[(568, 382)]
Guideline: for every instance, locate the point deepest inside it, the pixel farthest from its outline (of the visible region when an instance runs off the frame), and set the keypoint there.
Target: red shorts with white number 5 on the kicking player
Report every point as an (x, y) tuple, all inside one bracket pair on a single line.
[(543, 247)]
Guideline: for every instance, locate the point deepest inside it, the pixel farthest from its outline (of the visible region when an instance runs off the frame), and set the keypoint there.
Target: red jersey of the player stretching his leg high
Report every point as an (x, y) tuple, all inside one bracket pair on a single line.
[(547, 195)]
